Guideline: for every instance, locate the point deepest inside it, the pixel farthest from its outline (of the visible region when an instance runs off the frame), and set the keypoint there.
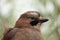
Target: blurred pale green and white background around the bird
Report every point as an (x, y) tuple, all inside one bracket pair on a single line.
[(10, 11)]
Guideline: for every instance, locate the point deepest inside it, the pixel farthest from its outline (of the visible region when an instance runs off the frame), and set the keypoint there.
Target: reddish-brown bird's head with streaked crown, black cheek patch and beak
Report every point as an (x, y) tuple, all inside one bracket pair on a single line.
[(30, 19)]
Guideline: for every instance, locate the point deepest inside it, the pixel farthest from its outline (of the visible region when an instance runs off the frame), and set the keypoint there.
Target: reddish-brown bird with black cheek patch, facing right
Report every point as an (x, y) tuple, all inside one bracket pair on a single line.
[(26, 27)]
